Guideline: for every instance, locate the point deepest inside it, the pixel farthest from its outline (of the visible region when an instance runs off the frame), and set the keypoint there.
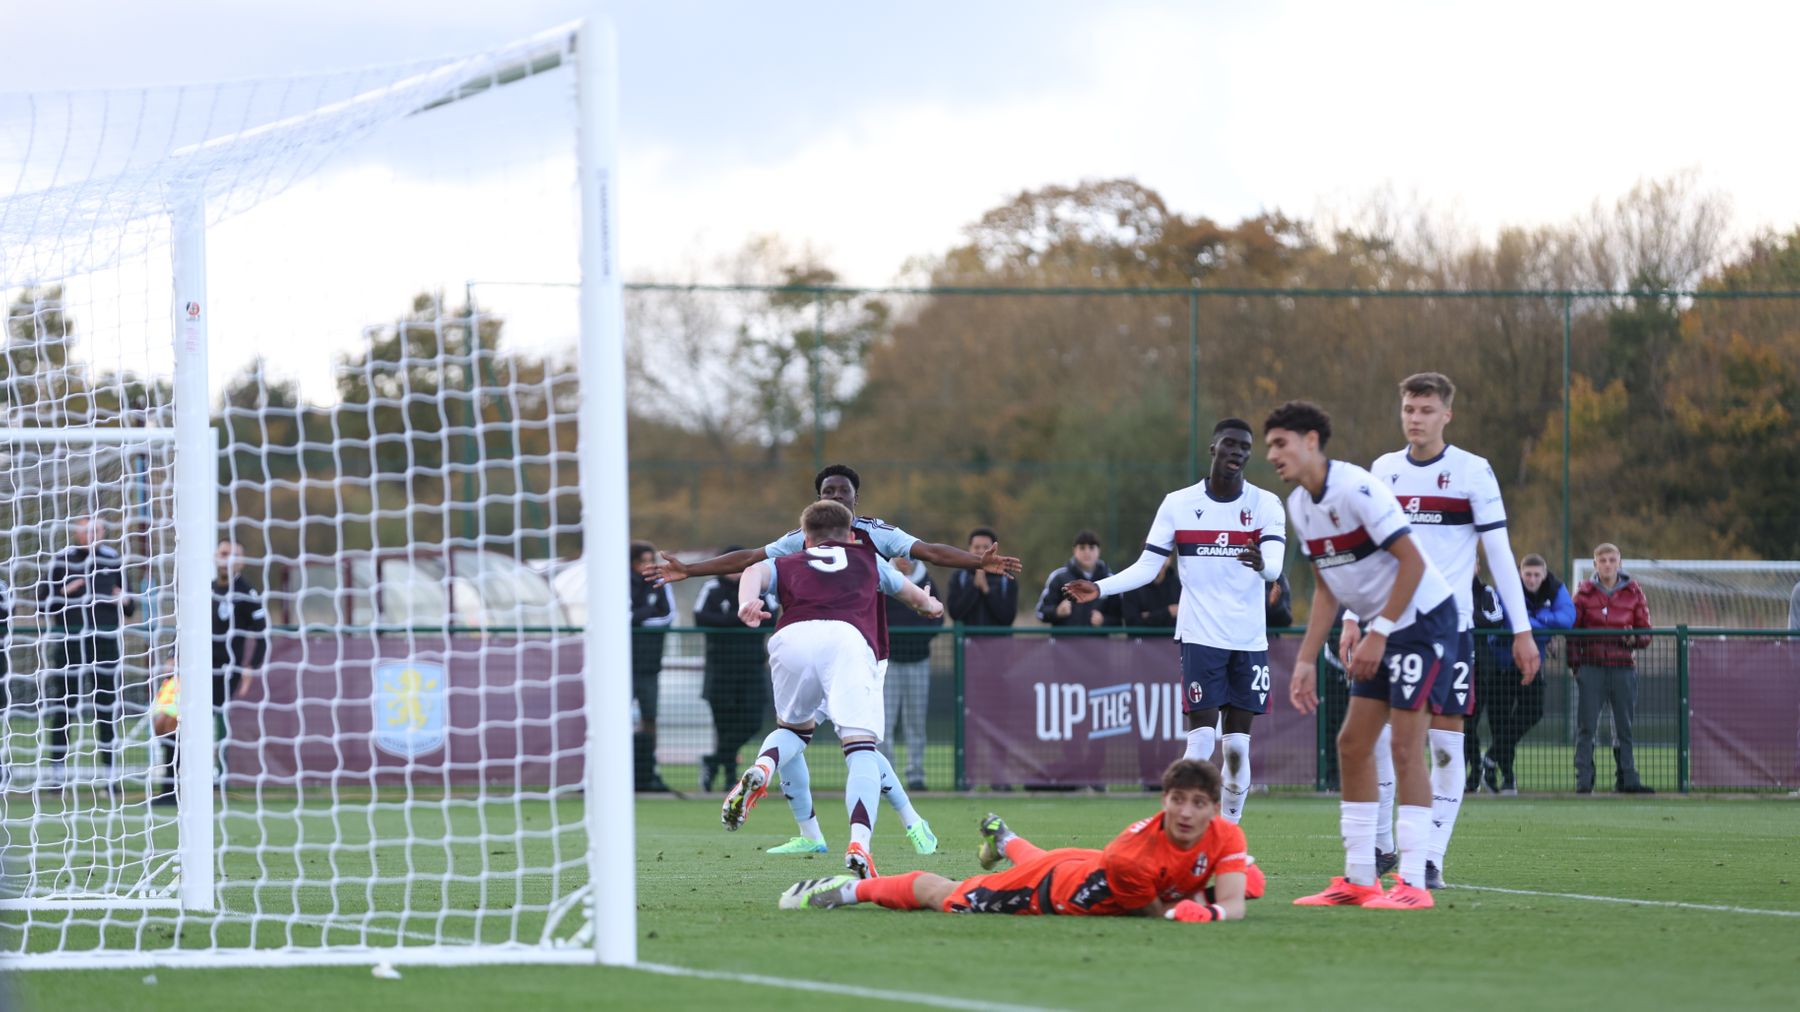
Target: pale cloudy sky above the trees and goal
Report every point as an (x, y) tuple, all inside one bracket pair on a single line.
[(874, 134)]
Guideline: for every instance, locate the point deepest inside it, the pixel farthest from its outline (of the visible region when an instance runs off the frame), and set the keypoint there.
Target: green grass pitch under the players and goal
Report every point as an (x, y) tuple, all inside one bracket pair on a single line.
[(706, 899)]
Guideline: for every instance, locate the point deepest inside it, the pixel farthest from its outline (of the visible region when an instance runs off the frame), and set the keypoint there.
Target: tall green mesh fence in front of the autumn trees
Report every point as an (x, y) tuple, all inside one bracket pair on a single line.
[(1043, 411)]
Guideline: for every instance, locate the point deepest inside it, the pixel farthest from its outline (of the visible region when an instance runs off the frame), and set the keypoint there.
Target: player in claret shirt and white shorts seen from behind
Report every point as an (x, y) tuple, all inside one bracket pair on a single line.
[(822, 660)]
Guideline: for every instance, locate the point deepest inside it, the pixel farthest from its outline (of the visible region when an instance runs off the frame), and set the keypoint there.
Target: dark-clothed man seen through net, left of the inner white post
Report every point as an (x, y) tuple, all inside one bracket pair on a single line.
[(84, 599)]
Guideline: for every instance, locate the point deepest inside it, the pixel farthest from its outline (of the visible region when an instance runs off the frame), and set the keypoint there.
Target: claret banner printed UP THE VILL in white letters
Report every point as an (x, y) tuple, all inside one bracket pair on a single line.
[(1106, 710)]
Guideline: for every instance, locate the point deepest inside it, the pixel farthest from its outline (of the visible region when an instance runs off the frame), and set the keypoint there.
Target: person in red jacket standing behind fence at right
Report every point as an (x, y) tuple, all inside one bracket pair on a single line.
[(1605, 669)]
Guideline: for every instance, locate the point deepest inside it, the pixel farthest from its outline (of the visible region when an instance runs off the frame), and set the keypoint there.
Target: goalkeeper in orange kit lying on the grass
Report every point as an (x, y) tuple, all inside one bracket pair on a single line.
[(1158, 867)]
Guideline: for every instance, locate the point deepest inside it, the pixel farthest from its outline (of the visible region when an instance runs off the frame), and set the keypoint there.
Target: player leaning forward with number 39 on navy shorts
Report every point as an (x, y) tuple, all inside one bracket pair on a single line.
[(1356, 536)]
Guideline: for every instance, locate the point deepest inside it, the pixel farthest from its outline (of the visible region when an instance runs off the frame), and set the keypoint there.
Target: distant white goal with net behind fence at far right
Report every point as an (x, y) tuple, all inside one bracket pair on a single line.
[(1705, 593)]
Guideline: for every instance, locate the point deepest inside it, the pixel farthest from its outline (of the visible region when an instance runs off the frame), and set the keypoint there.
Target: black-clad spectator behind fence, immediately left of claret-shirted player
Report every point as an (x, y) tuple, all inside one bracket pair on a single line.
[(737, 674)]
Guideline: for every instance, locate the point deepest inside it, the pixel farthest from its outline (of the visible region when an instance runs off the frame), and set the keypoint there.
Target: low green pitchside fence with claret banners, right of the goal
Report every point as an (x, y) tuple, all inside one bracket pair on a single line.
[(1716, 710)]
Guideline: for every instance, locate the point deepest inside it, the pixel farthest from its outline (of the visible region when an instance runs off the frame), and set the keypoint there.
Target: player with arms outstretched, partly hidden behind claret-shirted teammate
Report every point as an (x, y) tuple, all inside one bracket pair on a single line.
[(841, 483)]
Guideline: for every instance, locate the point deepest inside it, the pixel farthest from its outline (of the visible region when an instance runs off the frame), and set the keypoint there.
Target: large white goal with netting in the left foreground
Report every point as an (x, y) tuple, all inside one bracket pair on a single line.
[(300, 404)]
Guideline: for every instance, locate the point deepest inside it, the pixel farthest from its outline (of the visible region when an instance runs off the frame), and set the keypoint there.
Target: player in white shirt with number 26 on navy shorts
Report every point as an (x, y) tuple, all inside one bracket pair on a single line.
[(1218, 530)]
